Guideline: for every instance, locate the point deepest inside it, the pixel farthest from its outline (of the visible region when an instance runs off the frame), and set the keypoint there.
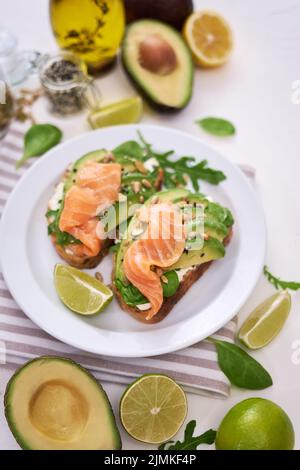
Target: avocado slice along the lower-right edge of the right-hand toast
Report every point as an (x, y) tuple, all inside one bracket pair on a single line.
[(212, 249)]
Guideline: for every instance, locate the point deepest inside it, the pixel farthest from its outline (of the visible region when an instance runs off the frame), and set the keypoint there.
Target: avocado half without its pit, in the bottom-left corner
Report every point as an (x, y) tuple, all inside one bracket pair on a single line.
[(52, 403)]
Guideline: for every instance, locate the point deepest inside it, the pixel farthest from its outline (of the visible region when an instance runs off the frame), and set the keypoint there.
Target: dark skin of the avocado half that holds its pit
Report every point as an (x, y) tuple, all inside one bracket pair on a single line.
[(135, 80)]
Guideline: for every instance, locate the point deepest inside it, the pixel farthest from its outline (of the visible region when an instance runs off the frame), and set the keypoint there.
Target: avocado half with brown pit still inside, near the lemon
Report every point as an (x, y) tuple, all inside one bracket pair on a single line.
[(159, 63)]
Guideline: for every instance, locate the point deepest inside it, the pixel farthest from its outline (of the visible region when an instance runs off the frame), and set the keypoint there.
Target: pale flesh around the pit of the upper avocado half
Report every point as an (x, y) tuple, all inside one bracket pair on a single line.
[(173, 90)]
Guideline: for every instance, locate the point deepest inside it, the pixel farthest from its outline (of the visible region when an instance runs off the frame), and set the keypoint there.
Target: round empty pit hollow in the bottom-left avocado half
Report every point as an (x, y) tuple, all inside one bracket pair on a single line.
[(59, 411)]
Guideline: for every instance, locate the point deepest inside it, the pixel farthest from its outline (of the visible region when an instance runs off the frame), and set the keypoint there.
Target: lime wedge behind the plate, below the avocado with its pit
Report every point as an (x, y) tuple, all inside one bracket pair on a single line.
[(123, 112)]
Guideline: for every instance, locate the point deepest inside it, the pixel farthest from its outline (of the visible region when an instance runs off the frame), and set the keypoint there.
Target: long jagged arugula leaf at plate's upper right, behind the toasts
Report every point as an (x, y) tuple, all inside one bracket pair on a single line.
[(176, 171)]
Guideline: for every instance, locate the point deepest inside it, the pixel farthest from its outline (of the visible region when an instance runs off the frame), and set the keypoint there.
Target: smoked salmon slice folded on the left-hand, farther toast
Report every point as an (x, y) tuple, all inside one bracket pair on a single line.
[(96, 188)]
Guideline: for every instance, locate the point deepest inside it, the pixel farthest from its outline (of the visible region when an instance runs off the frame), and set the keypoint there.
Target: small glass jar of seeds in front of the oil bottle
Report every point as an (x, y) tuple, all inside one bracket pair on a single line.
[(67, 84)]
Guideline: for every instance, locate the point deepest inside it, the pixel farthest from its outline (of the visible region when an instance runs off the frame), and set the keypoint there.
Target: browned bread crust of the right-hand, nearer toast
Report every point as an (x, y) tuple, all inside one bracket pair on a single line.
[(187, 281)]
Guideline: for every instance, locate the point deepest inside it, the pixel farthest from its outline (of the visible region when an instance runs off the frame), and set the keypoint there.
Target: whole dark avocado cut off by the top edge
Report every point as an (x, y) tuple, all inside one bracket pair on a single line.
[(173, 12)]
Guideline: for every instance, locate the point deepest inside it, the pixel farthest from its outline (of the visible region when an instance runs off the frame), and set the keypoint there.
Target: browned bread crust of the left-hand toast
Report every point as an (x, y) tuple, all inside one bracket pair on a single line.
[(91, 262)]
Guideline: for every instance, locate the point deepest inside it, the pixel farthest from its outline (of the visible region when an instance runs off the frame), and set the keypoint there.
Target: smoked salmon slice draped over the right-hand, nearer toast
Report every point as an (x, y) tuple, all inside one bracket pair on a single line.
[(161, 245)]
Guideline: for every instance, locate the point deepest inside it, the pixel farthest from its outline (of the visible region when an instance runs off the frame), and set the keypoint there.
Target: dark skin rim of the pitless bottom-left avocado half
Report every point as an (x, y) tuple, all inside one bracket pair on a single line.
[(7, 407)]
